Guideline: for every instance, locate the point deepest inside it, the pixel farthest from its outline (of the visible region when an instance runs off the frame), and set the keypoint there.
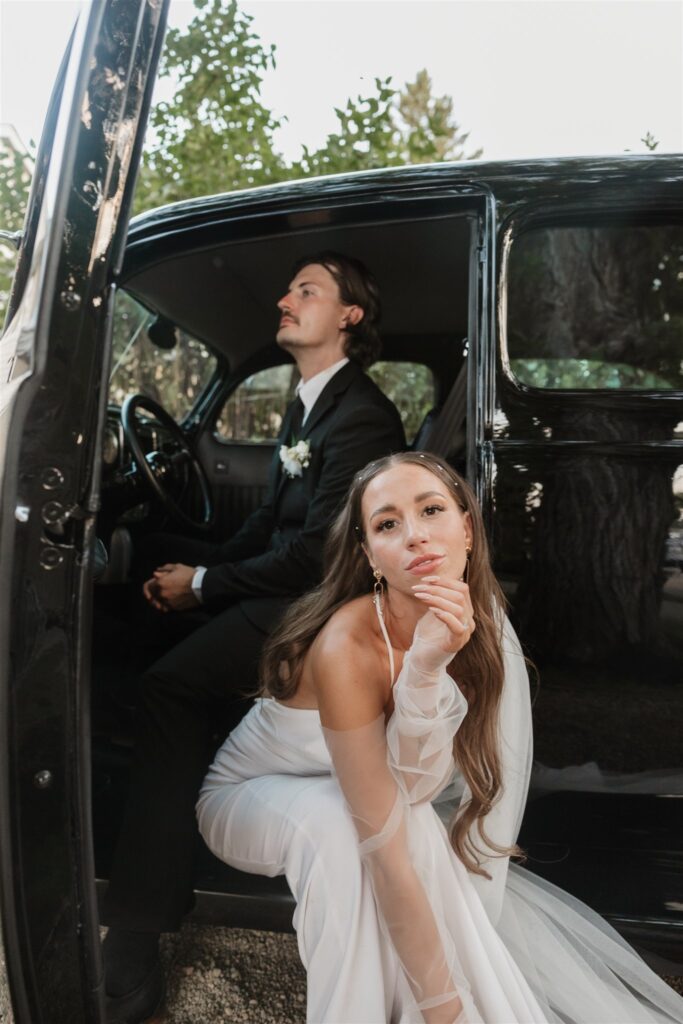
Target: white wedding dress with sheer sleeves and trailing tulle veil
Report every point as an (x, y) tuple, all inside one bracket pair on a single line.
[(392, 927)]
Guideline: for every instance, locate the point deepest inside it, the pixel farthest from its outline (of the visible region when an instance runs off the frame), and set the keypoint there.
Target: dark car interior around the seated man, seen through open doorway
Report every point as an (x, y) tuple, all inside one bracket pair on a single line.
[(214, 289)]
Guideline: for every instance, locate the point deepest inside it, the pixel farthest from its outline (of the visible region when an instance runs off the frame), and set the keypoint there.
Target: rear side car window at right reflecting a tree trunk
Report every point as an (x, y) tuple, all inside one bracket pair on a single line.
[(597, 308)]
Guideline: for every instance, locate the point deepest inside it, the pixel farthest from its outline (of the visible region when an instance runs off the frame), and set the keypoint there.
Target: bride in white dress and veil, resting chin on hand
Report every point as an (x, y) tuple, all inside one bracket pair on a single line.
[(399, 672)]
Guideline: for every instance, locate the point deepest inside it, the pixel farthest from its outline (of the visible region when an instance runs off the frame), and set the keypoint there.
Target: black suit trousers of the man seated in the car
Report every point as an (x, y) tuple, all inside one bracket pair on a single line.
[(198, 685)]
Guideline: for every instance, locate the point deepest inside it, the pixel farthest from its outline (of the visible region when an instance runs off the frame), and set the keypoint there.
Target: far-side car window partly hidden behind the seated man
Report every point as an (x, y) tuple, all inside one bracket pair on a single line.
[(254, 412)]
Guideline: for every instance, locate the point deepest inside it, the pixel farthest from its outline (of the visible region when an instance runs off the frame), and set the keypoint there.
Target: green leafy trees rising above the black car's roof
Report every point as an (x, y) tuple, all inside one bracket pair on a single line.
[(217, 135)]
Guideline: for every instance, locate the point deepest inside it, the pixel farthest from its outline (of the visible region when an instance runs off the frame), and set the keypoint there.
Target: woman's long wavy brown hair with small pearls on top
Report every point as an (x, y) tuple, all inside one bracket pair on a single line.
[(480, 665)]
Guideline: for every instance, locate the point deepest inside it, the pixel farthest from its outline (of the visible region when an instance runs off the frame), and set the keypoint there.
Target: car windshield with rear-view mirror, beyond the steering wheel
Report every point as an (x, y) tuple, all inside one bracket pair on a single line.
[(173, 376)]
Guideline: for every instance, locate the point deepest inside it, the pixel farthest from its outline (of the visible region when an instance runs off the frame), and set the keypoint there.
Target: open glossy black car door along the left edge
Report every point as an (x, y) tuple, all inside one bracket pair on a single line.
[(54, 360)]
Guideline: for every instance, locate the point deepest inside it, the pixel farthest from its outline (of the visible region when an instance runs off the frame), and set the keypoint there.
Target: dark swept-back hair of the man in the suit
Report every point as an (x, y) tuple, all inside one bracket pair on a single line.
[(357, 288)]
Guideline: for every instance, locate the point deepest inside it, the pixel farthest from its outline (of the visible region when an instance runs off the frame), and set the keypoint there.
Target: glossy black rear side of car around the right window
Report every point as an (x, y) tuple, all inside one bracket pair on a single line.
[(585, 514)]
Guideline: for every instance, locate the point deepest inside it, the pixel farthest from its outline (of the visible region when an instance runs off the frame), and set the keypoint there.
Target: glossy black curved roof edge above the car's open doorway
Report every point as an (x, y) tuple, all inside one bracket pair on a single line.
[(593, 184)]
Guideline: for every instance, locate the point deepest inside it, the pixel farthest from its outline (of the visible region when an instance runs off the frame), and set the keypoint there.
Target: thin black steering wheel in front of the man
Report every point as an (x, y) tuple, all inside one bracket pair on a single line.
[(159, 470)]
